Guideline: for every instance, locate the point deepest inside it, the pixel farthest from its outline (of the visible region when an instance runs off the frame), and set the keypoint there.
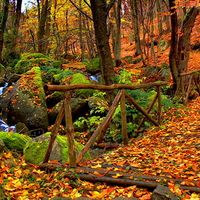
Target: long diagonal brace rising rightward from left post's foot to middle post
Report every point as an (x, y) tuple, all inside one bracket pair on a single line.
[(101, 128)]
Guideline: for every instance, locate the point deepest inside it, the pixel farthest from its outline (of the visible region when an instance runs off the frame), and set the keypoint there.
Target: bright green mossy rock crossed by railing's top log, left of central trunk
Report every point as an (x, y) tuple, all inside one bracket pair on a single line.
[(81, 79)]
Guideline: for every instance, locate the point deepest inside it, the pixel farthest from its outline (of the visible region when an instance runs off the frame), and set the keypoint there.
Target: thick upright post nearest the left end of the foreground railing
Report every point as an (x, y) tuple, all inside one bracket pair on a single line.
[(70, 130)]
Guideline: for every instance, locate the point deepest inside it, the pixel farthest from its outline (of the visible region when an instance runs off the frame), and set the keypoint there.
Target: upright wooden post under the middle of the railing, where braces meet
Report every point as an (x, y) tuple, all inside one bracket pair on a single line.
[(123, 118)]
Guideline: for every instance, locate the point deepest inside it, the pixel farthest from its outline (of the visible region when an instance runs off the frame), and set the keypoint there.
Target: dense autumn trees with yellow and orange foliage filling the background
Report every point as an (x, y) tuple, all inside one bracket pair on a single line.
[(78, 28)]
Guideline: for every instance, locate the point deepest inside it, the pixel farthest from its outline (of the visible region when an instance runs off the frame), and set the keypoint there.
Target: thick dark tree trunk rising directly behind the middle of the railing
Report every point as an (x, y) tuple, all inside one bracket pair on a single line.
[(99, 13)]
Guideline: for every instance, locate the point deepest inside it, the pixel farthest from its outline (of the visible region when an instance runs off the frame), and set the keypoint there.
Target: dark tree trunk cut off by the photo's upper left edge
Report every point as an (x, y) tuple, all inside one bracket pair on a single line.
[(4, 17)]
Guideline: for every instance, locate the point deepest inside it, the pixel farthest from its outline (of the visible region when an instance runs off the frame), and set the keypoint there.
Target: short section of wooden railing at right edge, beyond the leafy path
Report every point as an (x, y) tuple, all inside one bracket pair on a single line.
[(187, 83)]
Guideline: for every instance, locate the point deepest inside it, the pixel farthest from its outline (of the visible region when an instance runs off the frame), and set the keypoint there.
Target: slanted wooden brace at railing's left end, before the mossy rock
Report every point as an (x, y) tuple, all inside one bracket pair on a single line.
[(54, 133)]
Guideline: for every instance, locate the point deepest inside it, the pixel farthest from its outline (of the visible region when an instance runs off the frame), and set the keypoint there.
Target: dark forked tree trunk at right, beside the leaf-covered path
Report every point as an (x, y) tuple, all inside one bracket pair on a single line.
[(180, 44)]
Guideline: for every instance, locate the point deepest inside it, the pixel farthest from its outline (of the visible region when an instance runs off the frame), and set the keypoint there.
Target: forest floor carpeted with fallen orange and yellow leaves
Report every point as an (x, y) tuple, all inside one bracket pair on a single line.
[(170, 152)]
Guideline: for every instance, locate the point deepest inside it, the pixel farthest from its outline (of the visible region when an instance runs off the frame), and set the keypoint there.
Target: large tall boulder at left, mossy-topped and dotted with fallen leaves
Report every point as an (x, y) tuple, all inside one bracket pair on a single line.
[(27, 104)]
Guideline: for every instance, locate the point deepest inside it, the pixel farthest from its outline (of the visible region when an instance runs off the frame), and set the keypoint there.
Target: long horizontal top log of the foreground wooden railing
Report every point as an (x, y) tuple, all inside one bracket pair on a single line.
[(102, 87)]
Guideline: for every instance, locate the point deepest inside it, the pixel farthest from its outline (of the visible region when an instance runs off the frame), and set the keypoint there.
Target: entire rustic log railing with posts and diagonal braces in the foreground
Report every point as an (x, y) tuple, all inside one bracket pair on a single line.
[(65, 110)]
